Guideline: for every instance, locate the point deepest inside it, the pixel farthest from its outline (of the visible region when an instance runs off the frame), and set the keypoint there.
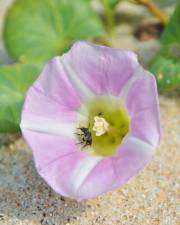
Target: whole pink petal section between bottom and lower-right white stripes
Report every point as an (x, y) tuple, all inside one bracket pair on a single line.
[(112, 172)]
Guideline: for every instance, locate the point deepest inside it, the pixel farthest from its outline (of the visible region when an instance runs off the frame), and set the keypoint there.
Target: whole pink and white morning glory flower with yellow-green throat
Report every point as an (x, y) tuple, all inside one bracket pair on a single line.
[(92, 120)]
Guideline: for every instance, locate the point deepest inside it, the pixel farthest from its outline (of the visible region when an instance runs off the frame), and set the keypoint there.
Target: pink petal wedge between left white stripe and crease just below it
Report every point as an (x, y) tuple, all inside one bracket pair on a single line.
[(48, 148)]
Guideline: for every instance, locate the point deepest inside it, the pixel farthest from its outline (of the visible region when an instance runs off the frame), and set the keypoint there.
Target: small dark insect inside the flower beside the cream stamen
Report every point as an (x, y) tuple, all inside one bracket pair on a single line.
[(86, 137)]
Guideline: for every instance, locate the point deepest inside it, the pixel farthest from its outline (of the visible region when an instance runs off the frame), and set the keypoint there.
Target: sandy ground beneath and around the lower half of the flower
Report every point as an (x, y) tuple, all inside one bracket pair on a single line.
[(150, 198)]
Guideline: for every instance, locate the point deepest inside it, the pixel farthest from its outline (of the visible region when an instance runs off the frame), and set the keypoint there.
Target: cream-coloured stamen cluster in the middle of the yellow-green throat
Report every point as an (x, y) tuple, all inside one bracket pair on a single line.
[(101, 126)]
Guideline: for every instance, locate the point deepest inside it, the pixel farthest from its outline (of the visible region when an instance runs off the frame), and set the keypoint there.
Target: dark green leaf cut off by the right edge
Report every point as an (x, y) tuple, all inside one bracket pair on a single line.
[(166, 65)]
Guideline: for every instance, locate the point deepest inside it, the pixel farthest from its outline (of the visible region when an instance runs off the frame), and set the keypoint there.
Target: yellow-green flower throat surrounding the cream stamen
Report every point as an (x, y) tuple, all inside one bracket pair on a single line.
[(106, 126)]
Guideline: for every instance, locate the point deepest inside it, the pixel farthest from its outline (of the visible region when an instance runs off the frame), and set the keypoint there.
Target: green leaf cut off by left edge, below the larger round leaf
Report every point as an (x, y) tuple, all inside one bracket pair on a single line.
[(14, 82)]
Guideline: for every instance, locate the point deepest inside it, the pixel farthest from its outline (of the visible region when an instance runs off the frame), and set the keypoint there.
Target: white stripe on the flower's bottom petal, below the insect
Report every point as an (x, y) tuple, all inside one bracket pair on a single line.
[(82, 171)]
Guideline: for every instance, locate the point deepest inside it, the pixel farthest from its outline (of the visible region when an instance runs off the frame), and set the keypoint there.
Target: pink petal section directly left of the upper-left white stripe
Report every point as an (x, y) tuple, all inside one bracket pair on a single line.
[(54, 83)]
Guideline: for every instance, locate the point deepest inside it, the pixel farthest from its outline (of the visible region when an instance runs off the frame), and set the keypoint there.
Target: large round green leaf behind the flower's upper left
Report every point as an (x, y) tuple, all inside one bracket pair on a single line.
[(37, 30)]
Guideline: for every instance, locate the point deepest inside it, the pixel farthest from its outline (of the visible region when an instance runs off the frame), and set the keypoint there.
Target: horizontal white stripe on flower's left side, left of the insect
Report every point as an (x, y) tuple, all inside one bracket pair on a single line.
[(48, 126)]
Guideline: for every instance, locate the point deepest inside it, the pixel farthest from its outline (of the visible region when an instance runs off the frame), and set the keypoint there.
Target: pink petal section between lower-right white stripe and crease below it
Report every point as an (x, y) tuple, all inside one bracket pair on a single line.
[(133, 155)]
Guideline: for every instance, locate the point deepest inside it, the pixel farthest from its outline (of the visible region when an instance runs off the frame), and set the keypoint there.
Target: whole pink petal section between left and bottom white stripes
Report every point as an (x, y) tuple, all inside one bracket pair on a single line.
[(50, 151)]
